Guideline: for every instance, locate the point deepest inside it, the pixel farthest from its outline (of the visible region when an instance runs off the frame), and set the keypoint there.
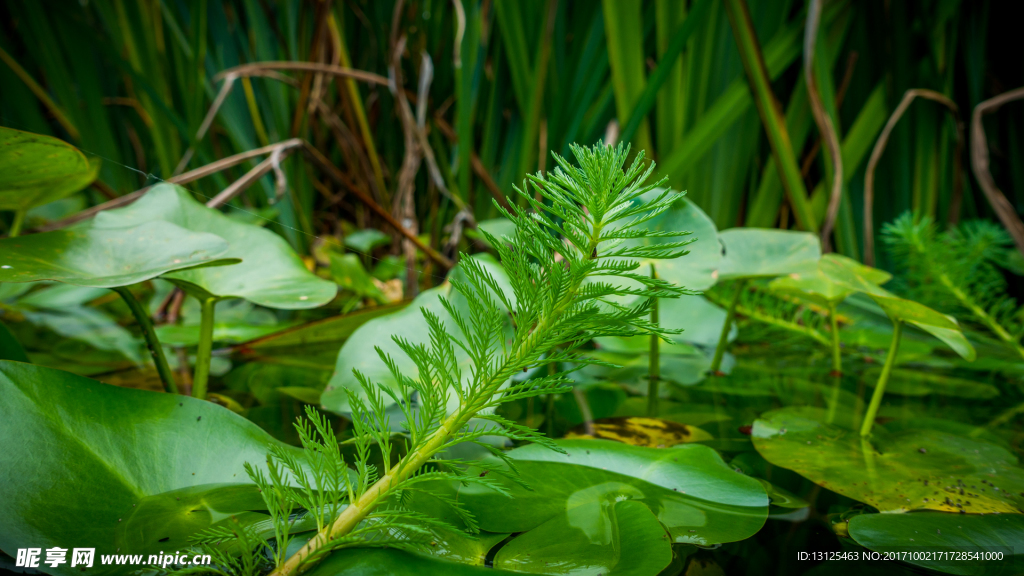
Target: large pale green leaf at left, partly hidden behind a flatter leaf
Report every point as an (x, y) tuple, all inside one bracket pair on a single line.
[(271, 274)]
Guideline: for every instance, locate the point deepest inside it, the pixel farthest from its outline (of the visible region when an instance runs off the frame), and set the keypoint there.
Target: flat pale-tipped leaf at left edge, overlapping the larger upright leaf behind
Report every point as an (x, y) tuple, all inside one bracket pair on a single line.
[(109, 259)]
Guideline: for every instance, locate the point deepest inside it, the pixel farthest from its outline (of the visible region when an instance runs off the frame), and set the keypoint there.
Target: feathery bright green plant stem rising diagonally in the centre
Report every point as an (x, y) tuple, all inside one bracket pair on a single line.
[(570, 261)]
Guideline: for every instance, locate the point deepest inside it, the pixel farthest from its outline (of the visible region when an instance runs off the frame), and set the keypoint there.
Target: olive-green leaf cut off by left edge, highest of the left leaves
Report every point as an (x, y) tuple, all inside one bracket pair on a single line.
[(37, 170)]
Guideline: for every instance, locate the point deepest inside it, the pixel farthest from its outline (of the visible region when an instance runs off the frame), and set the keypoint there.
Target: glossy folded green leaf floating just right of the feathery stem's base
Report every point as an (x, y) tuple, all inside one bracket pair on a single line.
[(692, 491)]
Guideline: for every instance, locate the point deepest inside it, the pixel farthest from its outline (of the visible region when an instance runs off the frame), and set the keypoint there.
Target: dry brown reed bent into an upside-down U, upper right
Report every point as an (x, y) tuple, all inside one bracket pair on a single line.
[(880, 147)]
